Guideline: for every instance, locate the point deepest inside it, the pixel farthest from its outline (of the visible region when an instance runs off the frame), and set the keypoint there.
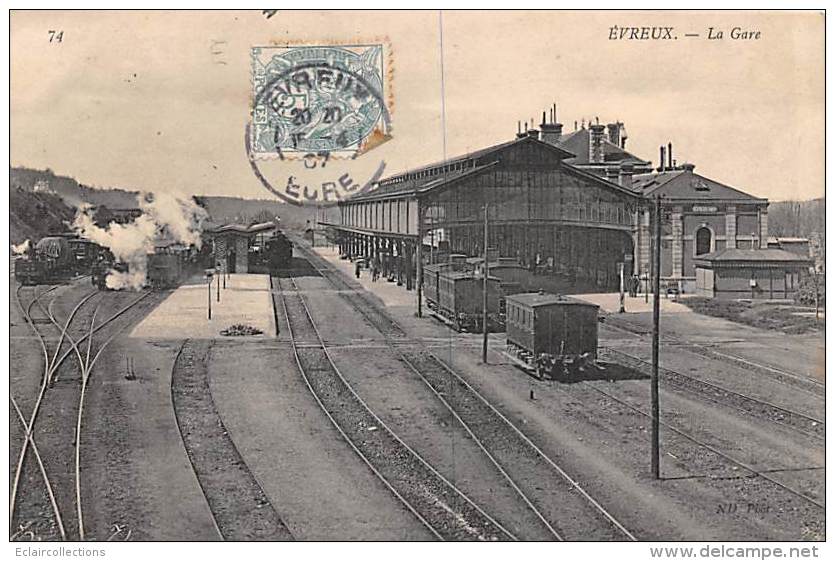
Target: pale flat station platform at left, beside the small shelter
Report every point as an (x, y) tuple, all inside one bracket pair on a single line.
[(245, 300)]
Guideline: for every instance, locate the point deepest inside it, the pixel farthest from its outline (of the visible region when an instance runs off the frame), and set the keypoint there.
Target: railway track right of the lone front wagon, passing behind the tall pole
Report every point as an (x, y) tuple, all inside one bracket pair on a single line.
[(761, 409)]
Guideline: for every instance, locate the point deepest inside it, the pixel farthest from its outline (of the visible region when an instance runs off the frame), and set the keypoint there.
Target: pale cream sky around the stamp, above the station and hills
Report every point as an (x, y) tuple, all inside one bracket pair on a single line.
[(160, 100)]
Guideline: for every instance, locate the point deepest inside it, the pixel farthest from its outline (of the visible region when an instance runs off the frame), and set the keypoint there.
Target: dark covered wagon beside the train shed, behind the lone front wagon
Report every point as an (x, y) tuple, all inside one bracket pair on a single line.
[(456, 297)]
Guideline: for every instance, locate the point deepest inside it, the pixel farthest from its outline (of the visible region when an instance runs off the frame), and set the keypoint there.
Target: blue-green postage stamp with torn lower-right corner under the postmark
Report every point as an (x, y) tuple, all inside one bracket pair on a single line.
[(317, 99)]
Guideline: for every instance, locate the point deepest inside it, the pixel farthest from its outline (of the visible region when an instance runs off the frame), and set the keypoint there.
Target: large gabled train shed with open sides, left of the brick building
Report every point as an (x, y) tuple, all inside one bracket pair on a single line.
[(554, 218)]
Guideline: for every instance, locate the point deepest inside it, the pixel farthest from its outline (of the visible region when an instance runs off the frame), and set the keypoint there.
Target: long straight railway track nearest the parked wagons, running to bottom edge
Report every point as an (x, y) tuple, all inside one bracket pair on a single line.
[(563, 506)]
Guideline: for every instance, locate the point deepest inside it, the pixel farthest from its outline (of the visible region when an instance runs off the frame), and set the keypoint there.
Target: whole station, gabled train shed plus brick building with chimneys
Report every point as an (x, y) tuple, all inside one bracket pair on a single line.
[(570, 207)]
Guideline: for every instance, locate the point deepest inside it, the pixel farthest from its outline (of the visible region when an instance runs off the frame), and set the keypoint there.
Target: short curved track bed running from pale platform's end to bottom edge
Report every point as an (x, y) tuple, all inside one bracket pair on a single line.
[(239, 507)]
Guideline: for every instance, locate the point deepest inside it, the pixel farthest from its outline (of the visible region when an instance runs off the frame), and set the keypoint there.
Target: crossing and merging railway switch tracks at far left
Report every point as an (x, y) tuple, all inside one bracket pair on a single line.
[(59, 408)]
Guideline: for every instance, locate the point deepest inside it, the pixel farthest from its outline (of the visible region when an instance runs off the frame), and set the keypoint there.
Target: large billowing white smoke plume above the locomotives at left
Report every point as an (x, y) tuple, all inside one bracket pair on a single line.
[(164, 217)]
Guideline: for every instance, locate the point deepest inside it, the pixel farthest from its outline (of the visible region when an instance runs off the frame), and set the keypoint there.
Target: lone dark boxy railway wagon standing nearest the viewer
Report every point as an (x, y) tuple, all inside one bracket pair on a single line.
[(549, 334)]
